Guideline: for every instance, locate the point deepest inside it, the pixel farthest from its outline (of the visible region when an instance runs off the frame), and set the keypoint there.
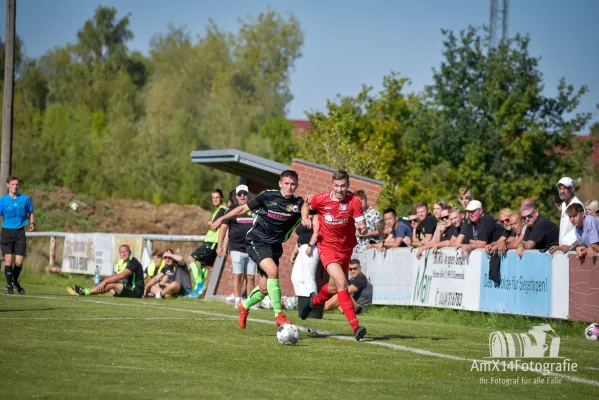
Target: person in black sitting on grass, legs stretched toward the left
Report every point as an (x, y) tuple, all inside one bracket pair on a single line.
[(129, 282)]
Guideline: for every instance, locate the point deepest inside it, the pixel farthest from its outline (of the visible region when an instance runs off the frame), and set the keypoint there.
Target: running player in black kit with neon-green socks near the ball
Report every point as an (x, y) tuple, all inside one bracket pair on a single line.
[(278, 213)]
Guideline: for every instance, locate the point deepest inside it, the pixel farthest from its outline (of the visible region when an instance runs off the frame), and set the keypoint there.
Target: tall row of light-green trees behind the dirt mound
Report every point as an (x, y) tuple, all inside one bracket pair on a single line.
[(106, 121)]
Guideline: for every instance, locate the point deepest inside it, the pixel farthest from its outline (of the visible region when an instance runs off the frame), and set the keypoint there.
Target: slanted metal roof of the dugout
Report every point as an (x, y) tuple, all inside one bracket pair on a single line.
[(239, 163)]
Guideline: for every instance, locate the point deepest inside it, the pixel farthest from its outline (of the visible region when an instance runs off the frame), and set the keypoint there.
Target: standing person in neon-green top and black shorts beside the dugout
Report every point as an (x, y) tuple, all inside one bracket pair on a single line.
[(203, 257)]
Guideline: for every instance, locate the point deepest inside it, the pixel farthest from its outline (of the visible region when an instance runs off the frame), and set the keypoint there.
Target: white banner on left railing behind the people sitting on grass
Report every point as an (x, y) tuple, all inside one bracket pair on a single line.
[(83, 251)]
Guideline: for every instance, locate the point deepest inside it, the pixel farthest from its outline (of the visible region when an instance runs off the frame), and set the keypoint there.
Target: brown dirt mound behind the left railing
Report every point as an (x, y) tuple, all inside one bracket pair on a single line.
[(116, 215)]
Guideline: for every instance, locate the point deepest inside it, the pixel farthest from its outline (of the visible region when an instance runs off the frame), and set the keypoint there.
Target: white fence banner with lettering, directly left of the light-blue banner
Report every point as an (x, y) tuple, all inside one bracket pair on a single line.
[(446, 278)]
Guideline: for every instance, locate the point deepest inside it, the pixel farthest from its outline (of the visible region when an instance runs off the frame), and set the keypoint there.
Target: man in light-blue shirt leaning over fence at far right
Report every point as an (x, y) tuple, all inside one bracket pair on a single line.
[(587, 232)]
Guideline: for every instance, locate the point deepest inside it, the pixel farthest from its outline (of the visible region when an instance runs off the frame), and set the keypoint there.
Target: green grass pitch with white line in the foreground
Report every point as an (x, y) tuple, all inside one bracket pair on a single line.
[(57, 346)]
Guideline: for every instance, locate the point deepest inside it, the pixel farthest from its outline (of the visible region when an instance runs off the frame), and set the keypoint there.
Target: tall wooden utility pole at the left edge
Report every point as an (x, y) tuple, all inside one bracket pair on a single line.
[(9, 92)]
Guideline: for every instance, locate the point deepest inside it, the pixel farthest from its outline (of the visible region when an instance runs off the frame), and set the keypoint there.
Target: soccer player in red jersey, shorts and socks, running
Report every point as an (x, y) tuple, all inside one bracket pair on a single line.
[(339, 211)]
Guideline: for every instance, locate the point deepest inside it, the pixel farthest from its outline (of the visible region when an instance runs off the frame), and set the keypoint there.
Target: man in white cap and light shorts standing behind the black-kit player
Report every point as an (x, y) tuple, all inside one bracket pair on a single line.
[(235, 230)]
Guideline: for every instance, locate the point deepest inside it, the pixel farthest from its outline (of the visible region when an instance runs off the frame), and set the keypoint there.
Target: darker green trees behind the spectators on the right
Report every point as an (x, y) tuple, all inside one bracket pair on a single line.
[(484, 123)]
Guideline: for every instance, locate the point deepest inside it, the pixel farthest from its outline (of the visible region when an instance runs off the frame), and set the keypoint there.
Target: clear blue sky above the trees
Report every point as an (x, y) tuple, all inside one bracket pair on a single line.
[(349, 43)]
